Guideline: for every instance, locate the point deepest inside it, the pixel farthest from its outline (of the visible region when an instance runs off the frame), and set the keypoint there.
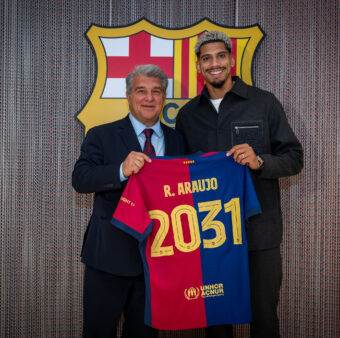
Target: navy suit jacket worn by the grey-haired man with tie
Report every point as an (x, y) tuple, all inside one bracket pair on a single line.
[(96, 171)]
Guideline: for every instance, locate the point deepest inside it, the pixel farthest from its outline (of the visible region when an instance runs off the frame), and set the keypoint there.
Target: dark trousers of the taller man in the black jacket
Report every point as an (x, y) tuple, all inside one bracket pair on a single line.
[(265, 271)]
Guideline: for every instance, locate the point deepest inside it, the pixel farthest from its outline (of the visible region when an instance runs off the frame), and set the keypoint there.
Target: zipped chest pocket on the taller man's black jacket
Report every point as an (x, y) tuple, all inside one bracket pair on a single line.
[(250, 132)]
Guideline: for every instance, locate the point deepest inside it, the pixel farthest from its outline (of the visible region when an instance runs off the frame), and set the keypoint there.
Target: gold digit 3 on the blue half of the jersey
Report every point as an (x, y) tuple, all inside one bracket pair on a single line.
[(213, 208)]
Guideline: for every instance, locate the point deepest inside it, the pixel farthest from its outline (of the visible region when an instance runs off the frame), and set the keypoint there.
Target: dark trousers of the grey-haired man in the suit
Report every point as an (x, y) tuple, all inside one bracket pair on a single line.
[(106, 297)]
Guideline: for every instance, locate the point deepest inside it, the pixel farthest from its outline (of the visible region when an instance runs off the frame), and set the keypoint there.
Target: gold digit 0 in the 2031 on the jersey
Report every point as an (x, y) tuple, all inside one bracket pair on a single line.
[(177, 226)]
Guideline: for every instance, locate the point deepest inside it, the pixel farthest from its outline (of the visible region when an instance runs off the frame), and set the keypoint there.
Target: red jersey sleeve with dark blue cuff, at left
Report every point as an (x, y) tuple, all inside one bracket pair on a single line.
[(131, 214)]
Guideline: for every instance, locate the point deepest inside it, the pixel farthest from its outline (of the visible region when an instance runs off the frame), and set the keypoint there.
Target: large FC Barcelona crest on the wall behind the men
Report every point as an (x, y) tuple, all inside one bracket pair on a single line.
[(118, 50)]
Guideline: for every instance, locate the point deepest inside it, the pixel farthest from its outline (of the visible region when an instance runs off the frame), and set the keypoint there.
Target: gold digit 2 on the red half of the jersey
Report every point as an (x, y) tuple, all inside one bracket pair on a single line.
[(157, 250)]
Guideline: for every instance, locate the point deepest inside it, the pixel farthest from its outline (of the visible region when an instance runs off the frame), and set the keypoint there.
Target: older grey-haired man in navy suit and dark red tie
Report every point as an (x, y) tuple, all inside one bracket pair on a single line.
[(113, 280)]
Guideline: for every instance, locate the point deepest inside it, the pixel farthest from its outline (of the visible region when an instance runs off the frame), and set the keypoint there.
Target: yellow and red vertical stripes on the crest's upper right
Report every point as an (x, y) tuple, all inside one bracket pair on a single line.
[(187, 82)]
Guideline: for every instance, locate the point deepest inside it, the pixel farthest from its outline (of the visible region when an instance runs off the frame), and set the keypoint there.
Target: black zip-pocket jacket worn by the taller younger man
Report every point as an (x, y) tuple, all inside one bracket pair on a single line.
[(248, 115)]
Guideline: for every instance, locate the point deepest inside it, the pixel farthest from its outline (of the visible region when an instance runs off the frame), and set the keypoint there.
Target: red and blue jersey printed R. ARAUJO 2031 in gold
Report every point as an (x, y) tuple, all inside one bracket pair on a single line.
[(189, 215)]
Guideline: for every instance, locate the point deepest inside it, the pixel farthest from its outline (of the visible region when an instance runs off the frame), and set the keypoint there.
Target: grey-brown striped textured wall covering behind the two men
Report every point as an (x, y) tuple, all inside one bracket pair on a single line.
[(46, 75)]
